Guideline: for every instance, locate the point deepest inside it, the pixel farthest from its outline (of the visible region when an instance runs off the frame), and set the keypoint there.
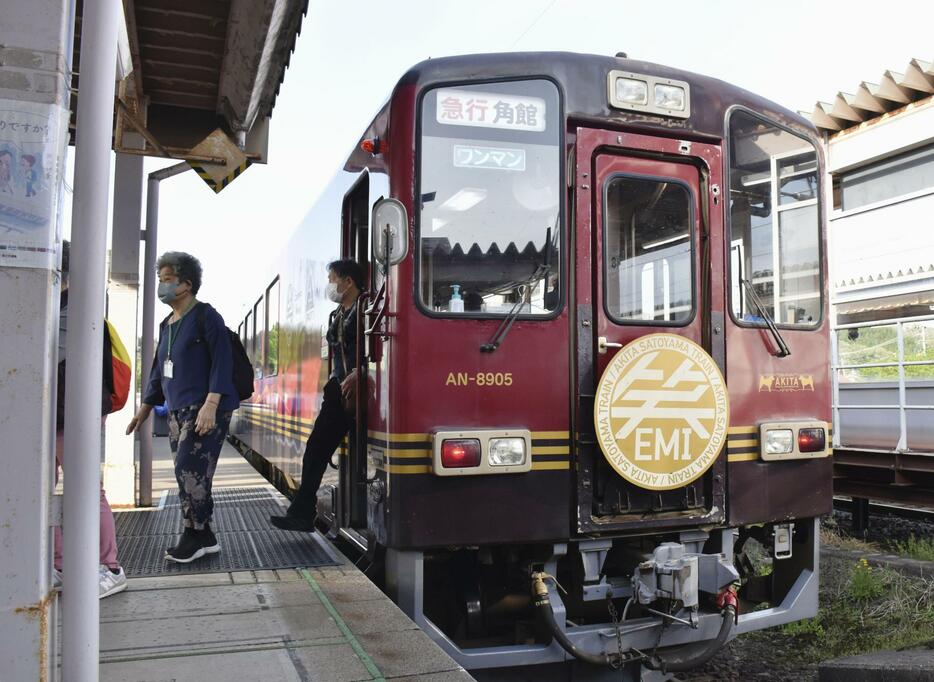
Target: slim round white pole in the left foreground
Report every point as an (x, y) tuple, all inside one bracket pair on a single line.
[(88, 276)]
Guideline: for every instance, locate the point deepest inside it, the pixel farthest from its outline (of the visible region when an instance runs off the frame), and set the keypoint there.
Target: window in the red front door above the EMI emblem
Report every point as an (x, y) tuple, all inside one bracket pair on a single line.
[(649, 261)]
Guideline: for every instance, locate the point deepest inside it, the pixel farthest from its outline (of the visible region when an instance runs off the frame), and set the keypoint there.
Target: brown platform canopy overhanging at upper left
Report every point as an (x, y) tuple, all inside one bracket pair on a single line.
[(192, 67)]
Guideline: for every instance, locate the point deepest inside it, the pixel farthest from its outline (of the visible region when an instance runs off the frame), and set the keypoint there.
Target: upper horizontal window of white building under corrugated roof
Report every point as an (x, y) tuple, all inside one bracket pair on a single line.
[(894, 177)]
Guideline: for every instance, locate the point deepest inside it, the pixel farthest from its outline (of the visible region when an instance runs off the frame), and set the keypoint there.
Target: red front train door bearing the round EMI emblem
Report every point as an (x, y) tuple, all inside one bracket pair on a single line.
[(649, 392)]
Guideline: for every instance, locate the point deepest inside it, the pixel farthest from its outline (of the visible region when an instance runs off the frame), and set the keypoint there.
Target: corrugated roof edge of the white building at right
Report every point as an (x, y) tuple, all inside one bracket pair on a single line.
[(894, 91)]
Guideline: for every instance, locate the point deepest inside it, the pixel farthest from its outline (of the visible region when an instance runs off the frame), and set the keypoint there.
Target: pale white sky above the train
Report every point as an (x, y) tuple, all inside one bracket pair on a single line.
[(351, 53)]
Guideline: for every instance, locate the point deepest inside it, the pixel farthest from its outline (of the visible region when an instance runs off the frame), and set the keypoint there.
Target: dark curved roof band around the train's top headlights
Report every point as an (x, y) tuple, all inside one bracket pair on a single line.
[(582, 80)]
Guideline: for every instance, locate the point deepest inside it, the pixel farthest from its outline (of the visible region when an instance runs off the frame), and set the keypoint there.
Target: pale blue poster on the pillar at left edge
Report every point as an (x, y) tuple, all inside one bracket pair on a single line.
[(31, 157)]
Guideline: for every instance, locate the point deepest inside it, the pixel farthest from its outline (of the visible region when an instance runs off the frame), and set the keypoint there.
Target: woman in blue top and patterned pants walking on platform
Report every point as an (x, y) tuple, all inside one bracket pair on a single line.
[(193, 373)]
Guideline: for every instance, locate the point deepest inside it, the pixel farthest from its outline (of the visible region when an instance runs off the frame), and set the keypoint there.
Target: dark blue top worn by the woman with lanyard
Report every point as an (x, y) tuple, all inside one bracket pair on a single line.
[(202, 362)]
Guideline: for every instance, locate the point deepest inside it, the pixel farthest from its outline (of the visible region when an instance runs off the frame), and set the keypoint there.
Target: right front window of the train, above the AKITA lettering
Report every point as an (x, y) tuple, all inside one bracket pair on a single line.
[(774, 224)]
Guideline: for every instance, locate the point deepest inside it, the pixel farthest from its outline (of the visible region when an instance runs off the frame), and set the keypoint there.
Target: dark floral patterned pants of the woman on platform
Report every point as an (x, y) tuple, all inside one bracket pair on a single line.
[(195, 462)]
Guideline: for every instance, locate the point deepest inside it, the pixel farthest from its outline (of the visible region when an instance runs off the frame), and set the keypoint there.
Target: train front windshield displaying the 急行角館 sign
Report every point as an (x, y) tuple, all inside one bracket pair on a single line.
[(490, 186)]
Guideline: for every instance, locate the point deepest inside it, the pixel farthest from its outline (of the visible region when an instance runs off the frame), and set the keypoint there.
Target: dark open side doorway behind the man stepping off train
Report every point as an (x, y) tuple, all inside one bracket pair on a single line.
[(355, 218)]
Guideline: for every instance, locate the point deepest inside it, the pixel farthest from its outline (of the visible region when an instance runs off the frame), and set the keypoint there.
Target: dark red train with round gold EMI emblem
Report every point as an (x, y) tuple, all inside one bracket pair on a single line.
[(595, 351)]
